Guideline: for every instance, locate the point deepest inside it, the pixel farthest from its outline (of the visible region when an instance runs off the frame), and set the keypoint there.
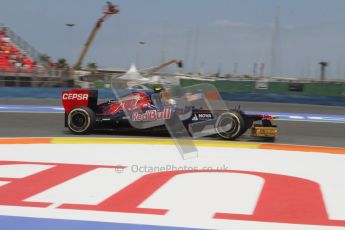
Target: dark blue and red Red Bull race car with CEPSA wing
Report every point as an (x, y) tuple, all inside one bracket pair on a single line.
[(136, 109)]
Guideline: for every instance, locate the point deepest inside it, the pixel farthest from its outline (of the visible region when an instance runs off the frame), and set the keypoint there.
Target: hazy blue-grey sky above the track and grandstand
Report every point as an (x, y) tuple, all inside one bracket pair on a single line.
[(226, 36)]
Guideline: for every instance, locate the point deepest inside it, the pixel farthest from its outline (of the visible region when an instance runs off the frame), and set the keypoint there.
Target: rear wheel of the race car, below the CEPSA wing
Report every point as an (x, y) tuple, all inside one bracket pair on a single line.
[(81, 120)]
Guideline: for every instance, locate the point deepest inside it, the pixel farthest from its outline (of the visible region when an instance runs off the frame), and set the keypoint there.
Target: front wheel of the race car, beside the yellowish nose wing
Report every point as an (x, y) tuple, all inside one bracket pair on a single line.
[(230, 125)]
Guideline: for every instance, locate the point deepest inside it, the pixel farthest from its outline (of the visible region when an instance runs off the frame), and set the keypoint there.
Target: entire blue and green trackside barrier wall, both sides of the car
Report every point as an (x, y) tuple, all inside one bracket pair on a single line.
[(318, 93)]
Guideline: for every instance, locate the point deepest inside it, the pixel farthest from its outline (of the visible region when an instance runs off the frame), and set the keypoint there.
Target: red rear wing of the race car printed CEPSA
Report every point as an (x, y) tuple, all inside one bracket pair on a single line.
[(79, 97)]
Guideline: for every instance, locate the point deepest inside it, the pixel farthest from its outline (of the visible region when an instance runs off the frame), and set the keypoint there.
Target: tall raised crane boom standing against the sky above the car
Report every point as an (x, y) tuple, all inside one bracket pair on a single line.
[(109, 10)]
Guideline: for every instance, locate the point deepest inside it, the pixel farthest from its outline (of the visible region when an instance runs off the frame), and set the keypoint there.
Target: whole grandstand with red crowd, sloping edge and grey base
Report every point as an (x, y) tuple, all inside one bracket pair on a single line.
[(23, 65)]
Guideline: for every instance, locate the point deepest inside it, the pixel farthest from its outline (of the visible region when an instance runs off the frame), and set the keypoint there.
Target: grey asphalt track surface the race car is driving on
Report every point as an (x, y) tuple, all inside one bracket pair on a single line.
[(290, 132)]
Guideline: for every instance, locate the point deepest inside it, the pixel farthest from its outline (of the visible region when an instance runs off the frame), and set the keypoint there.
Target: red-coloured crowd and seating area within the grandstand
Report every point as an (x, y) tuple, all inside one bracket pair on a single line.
[(12, 59)]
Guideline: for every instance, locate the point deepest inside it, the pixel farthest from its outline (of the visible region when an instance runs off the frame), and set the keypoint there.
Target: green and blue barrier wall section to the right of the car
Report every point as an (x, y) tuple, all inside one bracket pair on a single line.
[(319, 93)]
